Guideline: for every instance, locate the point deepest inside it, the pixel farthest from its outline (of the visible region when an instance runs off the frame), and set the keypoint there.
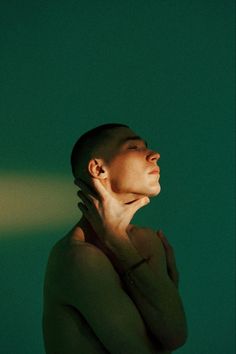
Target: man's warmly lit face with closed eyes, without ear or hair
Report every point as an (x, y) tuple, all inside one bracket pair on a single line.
[(131, 164)]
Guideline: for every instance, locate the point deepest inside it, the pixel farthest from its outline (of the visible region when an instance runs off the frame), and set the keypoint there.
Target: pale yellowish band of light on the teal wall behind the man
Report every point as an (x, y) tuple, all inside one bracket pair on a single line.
[(36, 201)]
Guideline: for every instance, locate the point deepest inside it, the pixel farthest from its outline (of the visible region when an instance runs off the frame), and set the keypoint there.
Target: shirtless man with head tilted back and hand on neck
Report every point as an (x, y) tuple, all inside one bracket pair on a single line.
[(112, 286)]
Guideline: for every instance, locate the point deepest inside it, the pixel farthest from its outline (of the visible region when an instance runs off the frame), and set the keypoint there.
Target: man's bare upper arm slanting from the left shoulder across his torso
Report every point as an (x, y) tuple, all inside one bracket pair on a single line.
[(95, 290)]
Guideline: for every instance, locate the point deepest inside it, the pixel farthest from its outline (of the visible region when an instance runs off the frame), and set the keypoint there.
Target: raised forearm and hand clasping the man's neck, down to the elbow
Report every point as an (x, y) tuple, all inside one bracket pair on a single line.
[(154, 293)]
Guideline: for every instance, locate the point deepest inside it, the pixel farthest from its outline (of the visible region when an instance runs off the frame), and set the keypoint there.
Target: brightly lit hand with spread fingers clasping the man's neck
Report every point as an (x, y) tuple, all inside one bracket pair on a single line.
[(107, 215)]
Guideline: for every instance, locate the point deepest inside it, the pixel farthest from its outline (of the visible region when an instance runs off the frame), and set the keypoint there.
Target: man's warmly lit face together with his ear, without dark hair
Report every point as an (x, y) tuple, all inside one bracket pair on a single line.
[(126, 175)]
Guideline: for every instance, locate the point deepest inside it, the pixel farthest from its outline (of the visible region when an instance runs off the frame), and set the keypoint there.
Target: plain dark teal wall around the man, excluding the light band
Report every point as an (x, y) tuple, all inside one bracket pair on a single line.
[(166, 68)]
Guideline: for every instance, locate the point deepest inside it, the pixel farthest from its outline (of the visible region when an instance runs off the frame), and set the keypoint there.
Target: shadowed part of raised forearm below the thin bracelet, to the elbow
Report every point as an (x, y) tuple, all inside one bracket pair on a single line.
[(160, 307)]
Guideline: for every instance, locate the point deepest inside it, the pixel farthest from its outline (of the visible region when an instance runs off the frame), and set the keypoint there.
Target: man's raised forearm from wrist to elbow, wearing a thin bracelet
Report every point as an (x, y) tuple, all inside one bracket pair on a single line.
[(156, 298)]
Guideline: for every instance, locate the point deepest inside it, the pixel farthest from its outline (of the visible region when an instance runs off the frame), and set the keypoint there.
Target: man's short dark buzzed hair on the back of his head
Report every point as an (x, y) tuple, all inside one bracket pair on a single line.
[(88, 144)]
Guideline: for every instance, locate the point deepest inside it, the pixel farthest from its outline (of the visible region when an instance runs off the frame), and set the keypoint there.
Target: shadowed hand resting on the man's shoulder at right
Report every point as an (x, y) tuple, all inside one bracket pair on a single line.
[(170, 259)]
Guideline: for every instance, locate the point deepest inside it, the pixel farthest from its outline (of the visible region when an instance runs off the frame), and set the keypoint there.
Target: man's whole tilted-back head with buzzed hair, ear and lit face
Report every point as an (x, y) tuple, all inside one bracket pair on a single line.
[(118, 157)]
